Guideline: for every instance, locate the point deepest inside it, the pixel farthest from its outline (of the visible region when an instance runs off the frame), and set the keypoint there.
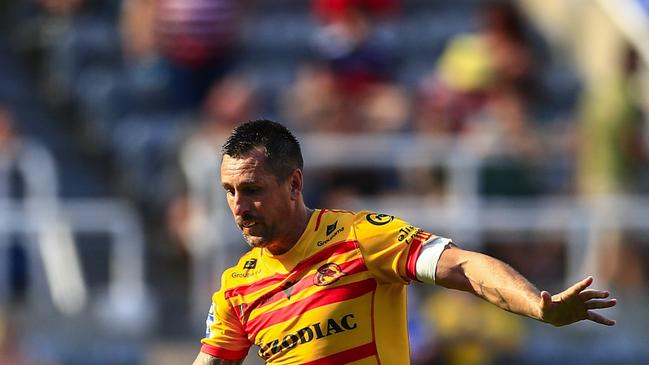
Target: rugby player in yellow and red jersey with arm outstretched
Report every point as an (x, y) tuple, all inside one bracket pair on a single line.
[(325, 286)]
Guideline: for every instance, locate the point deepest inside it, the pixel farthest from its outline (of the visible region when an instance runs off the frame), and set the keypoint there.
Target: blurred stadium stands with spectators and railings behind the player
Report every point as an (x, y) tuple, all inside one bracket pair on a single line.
[(518, 128)]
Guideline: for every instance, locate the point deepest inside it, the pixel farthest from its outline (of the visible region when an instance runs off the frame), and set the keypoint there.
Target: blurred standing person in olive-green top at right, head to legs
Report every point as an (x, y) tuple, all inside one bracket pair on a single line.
[(611, 162)]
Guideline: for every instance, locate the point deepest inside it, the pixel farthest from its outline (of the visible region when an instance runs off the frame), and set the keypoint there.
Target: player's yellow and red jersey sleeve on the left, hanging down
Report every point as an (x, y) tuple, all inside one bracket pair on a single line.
[(224, 334)]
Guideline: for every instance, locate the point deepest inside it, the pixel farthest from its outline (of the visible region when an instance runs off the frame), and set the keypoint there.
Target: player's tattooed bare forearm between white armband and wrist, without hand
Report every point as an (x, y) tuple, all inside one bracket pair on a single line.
[(494, 281)]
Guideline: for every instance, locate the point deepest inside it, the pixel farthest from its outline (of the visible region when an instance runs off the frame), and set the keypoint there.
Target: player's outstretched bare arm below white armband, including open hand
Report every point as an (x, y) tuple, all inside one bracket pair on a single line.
[(500, 284)]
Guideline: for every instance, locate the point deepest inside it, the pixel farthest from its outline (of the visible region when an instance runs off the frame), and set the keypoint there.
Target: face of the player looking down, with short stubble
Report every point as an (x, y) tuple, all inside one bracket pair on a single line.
[(260, 203)]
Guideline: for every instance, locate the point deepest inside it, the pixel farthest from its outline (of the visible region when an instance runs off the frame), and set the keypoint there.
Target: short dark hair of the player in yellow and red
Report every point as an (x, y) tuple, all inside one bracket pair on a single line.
[(282, 149)]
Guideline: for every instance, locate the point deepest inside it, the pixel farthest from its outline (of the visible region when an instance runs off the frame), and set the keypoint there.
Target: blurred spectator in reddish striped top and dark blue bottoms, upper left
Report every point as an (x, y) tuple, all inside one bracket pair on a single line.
[(176, 49)]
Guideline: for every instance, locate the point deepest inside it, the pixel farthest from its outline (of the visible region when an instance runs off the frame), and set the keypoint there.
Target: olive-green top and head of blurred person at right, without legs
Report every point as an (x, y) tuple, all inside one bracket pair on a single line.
[(611, 154)]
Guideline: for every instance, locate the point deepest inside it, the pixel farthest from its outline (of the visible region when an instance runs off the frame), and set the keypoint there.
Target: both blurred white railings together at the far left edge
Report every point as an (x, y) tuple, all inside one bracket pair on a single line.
[(46, 226)]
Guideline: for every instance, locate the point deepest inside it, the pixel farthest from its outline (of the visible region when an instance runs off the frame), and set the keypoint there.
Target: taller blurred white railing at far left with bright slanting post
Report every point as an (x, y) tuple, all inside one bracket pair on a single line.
[(37, 212)]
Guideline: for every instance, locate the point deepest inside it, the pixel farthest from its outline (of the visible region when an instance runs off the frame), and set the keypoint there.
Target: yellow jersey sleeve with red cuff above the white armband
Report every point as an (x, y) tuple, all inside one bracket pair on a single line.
[(390, 246)]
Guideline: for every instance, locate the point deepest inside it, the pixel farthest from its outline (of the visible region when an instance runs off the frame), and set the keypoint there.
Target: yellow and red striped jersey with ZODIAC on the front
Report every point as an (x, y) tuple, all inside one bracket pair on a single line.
[(337, 297)]
